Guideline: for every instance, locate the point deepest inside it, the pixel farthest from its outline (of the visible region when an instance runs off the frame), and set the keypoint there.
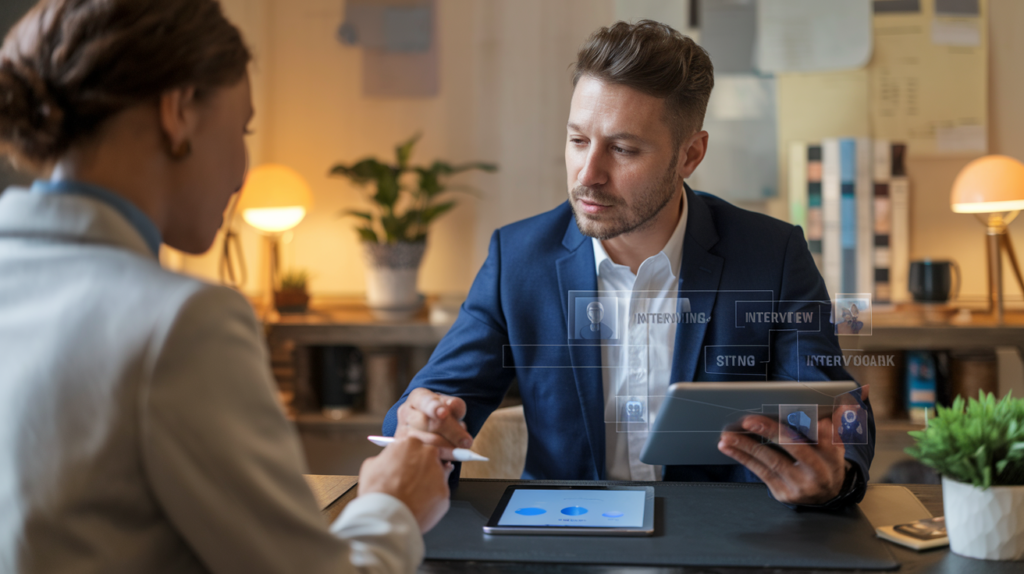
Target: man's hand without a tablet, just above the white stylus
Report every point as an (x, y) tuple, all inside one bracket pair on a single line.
[(436, 420)]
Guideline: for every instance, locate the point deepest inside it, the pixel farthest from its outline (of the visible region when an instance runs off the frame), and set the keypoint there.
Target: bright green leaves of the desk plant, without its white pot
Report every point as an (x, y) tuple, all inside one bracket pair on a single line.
[(983, 445)]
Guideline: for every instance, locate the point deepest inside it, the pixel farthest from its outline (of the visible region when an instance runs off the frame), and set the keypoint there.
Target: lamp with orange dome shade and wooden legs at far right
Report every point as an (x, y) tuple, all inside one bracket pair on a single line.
[(993, 189)]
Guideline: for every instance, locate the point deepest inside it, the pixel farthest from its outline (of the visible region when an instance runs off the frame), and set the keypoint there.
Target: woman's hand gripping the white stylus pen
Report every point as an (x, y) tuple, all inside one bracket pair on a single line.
[(413, 473)]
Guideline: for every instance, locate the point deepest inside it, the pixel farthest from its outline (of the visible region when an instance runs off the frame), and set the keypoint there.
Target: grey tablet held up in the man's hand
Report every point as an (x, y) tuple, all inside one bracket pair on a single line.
[(694, 416)]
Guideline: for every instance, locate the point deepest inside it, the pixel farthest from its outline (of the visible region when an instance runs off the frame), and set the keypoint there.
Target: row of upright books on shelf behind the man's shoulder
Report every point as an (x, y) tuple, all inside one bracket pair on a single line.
[(851, 196)]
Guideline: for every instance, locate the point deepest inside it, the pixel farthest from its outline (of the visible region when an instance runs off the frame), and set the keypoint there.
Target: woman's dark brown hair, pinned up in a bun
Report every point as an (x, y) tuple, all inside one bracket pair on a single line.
[(68, 66)]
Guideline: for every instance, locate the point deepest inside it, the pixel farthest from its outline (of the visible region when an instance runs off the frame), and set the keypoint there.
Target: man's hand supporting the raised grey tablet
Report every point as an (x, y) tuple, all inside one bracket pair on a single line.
[(815, 478)]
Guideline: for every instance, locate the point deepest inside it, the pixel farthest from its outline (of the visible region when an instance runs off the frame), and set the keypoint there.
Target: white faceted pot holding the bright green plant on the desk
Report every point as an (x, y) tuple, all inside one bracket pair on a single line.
[(985, 524)]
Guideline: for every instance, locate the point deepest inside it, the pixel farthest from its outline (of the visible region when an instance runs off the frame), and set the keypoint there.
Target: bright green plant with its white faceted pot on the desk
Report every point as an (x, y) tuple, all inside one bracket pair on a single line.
[(979, 452)]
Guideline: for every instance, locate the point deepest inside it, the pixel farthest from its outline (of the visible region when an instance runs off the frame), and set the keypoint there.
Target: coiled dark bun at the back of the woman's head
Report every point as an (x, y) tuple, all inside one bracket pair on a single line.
[(31, 120)]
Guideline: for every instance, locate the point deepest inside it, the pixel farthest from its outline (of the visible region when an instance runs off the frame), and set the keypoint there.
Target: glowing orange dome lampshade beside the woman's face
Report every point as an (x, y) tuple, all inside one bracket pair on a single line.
[(275, 199)]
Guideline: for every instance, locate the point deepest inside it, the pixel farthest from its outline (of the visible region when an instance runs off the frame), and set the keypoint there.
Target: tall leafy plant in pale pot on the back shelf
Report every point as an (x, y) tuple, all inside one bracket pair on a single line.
[(407, 200)]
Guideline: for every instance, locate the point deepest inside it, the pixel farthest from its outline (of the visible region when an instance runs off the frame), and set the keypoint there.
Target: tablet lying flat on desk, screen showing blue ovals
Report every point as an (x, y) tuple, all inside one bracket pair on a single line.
[(592, 511)]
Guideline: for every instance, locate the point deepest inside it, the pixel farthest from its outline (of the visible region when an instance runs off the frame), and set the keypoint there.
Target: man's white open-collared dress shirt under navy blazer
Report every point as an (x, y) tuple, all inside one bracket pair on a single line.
[(638, 367)]
